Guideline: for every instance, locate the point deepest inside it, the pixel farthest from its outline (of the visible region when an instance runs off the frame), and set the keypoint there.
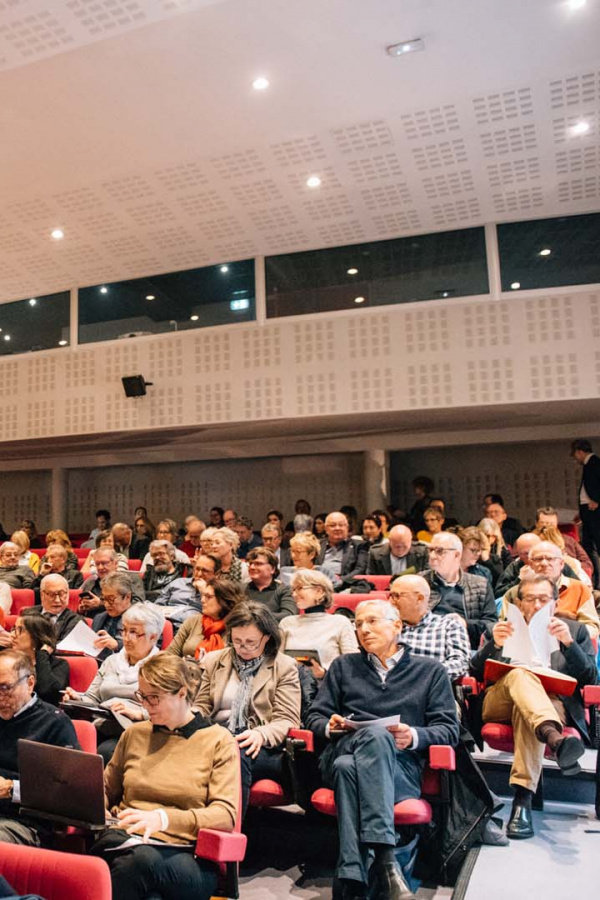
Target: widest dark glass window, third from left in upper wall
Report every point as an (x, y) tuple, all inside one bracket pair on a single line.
[(404, 270)]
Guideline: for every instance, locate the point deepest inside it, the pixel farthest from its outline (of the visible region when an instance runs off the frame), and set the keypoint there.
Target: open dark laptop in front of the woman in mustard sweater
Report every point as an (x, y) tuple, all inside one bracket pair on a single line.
[(62, 785)]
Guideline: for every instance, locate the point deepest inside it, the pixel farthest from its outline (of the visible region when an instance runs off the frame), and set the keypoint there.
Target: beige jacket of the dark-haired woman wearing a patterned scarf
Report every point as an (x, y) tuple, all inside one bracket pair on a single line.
[(275, 693)]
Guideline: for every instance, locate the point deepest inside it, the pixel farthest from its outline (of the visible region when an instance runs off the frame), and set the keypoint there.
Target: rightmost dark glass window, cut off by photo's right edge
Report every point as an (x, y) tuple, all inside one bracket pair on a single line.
[(574, 257)]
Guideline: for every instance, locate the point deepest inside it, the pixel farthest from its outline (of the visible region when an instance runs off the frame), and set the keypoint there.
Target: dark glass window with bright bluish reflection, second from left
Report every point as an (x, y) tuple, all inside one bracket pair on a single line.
[(197, 298)]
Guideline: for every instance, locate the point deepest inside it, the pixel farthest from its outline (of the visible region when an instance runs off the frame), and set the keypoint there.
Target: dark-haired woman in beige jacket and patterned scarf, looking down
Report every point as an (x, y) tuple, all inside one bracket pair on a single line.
[(254, 691)]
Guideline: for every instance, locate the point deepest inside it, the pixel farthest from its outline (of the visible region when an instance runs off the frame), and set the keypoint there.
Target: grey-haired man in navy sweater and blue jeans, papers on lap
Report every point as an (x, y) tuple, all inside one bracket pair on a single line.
[(372, 768)]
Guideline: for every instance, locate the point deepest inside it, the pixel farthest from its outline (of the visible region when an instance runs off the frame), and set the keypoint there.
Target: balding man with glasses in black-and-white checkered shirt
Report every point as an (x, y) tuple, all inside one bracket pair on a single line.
[(443, 637)]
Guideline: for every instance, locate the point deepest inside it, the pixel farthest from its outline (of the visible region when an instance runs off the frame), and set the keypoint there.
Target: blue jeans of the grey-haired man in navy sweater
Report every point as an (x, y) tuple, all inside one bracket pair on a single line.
[(368, 775)]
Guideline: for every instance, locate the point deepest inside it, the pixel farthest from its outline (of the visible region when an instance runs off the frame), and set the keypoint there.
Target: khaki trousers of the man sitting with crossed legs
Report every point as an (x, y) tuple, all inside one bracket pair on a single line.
[(520, 700)]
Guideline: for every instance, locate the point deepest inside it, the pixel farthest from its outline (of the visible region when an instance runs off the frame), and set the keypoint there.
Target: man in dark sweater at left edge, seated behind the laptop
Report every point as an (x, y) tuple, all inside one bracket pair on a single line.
[(23, 715)]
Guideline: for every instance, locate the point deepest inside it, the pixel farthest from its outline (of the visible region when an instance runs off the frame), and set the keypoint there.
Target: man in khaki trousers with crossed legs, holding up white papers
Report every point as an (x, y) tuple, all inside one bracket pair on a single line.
[(520, 699)]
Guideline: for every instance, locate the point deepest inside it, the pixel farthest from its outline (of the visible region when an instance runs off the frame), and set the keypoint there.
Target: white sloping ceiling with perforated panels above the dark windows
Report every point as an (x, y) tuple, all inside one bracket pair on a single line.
[(132, 125)]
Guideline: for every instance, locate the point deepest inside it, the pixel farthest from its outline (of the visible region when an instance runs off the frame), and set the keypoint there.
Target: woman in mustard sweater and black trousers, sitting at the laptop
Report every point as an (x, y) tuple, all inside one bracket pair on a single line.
[(145, 789)]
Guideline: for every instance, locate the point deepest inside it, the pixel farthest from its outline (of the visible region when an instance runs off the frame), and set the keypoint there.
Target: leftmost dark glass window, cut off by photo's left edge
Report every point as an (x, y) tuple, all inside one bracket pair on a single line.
[(38, 323)]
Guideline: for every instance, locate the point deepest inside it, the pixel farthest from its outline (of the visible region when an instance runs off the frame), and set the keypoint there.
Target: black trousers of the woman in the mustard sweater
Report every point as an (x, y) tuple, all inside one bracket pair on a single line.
[(150, 871)]
